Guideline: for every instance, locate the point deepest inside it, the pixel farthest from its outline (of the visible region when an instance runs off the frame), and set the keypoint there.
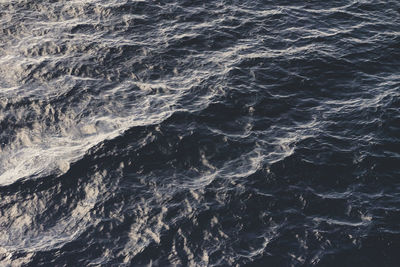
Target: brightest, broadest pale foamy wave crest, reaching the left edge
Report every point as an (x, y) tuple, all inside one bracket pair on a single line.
[(44, 147)]
